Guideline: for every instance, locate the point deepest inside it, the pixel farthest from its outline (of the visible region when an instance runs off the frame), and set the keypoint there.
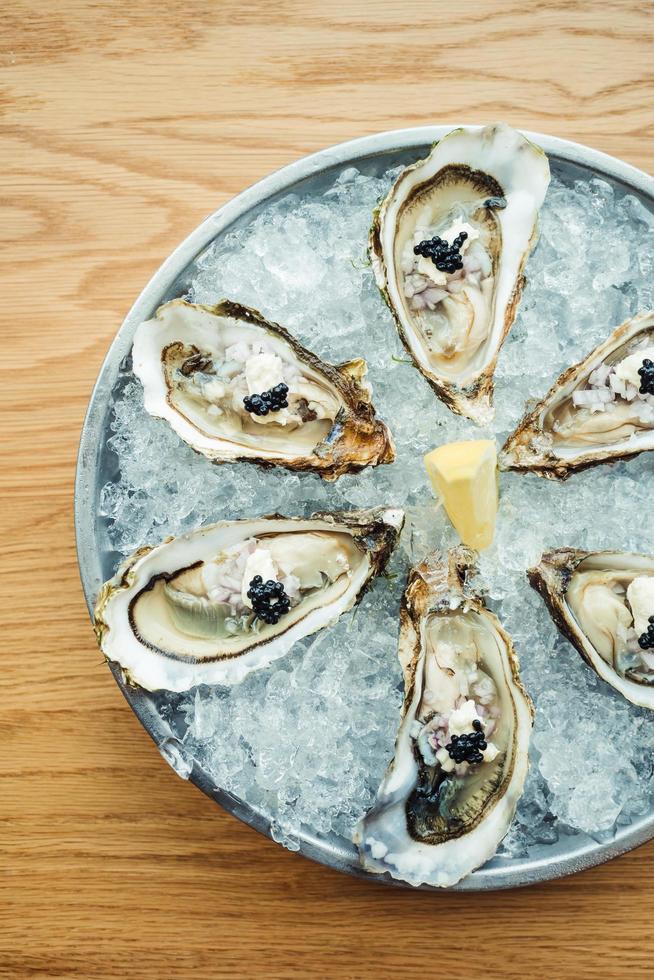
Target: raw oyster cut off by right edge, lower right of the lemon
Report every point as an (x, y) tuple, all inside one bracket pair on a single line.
[(603, 602)]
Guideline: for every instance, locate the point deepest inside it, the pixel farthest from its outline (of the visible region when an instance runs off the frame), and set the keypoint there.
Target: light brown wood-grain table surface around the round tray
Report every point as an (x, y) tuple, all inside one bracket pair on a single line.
[(123, 125)]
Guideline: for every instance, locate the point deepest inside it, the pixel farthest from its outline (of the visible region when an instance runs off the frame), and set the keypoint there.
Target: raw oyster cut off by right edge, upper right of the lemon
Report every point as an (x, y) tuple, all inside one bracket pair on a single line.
[(598, 411)]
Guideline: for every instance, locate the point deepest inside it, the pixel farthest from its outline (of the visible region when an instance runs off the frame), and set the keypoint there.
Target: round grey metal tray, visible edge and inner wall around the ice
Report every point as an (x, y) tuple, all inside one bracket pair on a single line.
[(96, 464)]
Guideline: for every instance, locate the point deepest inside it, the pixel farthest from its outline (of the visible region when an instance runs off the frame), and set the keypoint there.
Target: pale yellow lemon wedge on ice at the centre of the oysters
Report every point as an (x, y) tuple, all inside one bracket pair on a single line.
[(464, 476)]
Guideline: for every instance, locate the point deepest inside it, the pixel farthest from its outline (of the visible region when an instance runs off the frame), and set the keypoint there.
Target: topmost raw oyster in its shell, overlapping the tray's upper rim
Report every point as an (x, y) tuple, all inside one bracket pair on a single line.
[(486, 185)]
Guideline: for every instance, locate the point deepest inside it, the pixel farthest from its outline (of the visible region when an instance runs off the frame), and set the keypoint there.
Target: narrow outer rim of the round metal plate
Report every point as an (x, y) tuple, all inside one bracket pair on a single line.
[(523, 873)]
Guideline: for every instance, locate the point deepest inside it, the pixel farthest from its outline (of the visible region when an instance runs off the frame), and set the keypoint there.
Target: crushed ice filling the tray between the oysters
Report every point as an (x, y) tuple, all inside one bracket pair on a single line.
[(306, 741)]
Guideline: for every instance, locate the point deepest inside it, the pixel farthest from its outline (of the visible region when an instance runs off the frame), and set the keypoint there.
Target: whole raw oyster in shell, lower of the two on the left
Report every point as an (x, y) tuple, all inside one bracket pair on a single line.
[(210, 606)]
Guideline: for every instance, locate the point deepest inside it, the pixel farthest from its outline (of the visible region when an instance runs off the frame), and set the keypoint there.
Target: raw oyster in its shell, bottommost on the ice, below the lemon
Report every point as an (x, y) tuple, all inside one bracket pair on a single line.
[(461, 754)]
